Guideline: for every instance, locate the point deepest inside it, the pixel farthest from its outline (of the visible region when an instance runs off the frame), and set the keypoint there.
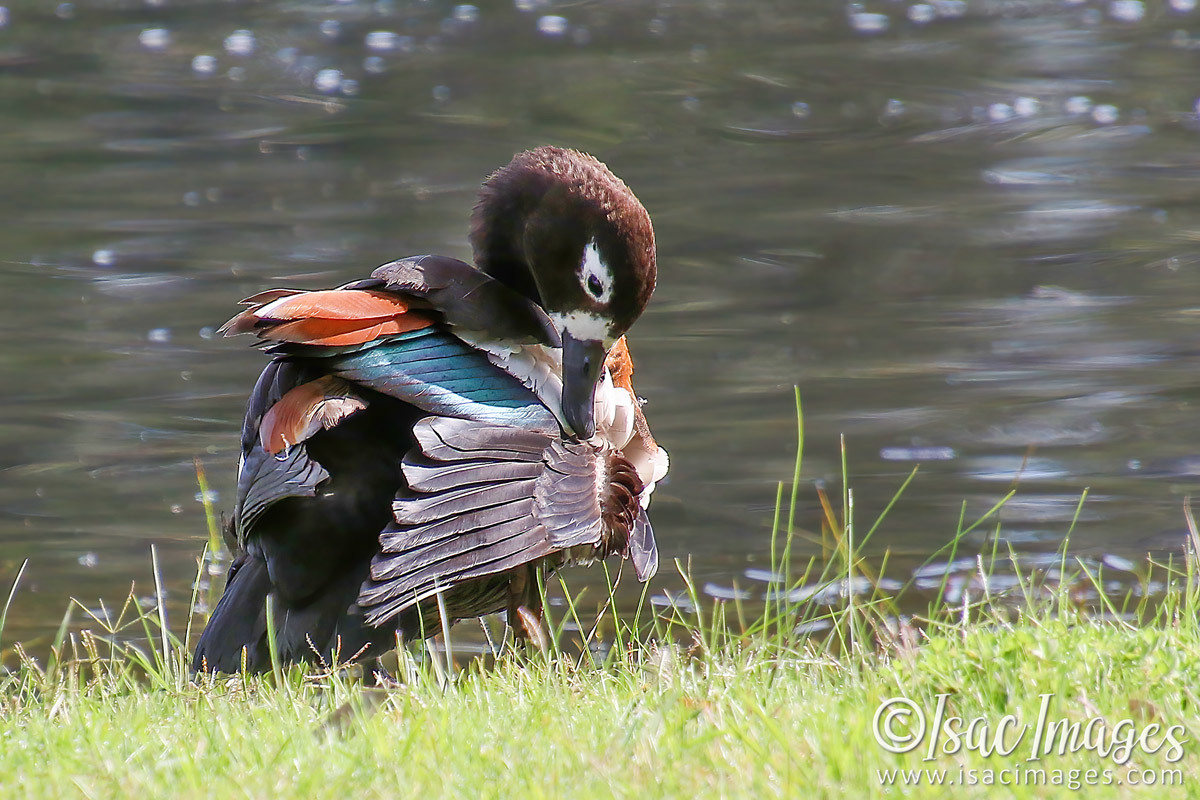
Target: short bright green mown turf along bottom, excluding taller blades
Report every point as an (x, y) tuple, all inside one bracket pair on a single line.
[(749, 719)]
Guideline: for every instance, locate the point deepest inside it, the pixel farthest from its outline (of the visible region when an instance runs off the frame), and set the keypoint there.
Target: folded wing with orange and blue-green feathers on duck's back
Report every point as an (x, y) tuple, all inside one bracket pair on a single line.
[(339, 351)]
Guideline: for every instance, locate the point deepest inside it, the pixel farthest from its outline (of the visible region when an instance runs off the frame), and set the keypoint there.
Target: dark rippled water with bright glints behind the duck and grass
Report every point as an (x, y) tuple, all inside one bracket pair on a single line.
[(968, 231)]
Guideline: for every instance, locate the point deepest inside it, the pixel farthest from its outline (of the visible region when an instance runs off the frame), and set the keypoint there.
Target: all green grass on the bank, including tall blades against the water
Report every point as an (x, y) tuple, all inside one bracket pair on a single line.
[(692, 701)]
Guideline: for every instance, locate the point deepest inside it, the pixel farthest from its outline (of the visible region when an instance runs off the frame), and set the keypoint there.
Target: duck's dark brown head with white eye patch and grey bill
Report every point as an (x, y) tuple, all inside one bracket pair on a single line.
[(559, 227)]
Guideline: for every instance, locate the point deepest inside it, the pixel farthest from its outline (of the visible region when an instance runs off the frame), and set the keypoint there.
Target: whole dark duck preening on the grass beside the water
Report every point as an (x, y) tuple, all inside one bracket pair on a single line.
[(425, 442)]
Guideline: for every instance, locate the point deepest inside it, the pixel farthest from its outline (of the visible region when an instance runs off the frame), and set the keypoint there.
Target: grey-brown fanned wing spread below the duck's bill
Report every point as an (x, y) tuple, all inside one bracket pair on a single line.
[(485, 501)]
